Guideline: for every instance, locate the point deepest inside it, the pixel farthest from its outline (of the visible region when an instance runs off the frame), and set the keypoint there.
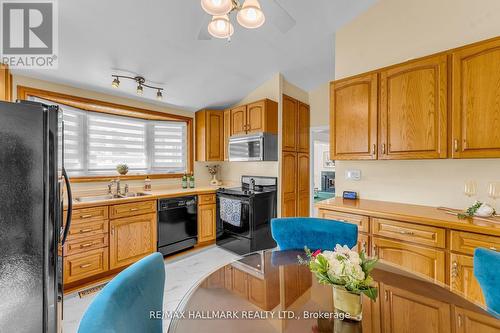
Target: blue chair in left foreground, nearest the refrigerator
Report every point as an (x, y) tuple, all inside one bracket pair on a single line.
[(125, 303)]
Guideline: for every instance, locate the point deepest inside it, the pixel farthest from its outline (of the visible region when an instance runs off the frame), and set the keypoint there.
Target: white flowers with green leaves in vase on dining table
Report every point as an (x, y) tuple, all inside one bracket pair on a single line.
[(348, 272)]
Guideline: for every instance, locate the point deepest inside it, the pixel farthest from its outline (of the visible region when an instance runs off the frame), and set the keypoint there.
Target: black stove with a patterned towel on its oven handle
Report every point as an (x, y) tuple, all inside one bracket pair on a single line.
[(256, 199)]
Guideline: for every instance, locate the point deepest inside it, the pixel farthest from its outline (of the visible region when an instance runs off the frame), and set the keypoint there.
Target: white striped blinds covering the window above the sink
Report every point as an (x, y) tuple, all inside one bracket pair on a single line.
[(94, 143)]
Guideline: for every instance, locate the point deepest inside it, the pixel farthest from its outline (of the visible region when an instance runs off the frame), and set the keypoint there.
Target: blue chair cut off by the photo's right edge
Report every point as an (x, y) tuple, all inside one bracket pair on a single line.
[(486, 270)]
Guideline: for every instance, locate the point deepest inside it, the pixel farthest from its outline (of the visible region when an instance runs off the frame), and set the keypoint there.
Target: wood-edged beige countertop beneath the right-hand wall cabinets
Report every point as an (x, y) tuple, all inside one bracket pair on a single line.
[(410, 213)]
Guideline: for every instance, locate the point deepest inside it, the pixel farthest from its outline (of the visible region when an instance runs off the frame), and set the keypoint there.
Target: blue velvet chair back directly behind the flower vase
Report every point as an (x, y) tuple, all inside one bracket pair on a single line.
[(296, 232)]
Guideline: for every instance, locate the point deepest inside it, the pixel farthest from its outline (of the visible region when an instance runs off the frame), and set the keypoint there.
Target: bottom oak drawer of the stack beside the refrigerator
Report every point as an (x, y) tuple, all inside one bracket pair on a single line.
[(86, 264)]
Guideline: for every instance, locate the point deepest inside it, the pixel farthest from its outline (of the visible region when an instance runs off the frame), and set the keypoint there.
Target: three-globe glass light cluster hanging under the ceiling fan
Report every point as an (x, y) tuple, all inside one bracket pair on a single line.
[(250, 16)]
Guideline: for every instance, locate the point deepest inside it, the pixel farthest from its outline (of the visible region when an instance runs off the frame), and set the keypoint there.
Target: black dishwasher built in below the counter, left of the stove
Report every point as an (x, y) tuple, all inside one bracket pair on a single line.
[(177, 224)]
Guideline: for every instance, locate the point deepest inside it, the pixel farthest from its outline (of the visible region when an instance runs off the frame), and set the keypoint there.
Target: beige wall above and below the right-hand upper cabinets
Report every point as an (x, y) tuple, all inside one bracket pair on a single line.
[(393, 31)]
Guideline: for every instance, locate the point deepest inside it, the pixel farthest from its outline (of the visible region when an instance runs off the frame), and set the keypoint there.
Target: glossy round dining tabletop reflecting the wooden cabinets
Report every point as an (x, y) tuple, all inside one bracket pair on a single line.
[(269, 291)]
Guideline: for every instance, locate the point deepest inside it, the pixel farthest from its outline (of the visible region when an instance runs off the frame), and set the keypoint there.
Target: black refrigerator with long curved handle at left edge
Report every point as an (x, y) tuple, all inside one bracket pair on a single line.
[(32, 230)]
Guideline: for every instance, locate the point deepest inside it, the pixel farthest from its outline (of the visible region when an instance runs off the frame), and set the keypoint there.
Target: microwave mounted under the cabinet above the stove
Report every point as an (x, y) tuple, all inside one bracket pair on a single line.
[(253, 147)]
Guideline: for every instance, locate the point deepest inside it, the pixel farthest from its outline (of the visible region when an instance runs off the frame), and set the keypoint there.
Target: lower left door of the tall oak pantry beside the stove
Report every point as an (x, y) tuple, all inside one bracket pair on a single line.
[(289, 185)]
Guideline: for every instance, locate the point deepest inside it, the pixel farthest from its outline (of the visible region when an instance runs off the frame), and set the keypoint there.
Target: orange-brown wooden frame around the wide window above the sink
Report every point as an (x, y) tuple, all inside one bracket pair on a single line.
[(87, 104)]
